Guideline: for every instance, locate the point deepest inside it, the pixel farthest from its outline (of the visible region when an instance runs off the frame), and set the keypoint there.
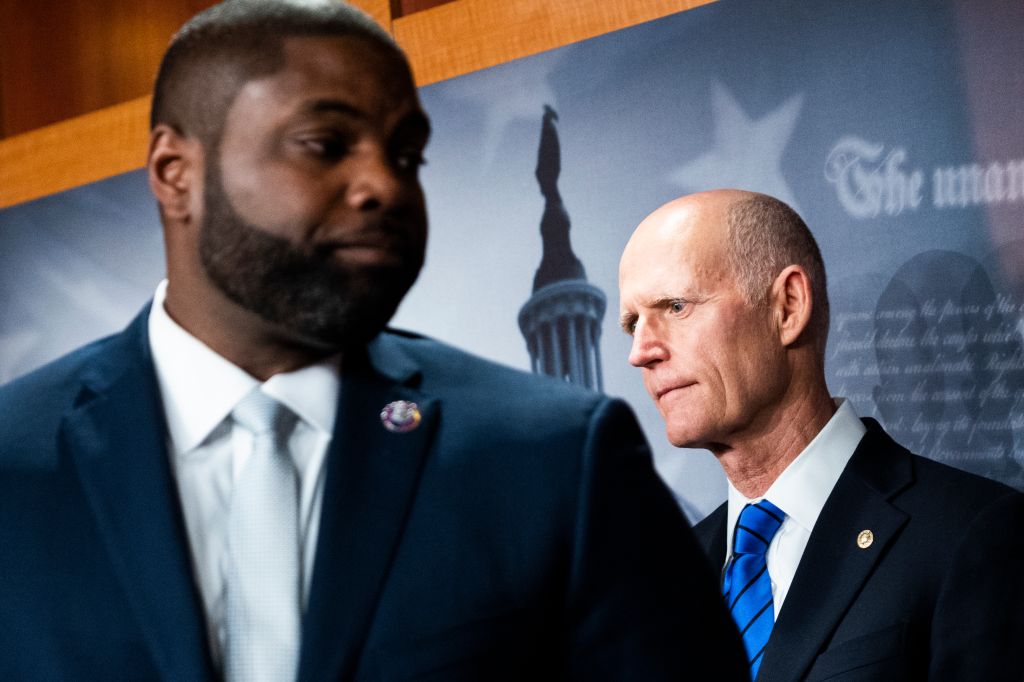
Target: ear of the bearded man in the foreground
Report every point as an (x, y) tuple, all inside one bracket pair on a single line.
[(176, 165)]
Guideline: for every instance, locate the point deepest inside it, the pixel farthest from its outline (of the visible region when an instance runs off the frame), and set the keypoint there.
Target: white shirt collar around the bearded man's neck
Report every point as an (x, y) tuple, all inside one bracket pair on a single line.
[(200, 389)]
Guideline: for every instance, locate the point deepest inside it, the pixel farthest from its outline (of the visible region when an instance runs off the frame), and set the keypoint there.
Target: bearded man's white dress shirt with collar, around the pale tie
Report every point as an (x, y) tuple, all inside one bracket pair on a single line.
[(200, 389)]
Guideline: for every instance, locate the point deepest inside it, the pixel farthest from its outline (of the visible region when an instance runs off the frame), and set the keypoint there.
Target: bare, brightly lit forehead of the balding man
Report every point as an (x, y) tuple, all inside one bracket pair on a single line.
[(678, 251)]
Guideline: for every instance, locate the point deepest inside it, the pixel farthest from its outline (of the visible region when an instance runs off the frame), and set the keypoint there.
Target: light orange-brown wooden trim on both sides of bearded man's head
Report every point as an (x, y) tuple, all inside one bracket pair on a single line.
[(444, 42)]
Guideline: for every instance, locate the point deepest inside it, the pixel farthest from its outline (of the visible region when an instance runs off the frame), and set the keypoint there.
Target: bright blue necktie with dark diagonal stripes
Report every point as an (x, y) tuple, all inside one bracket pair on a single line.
[(747, 586)]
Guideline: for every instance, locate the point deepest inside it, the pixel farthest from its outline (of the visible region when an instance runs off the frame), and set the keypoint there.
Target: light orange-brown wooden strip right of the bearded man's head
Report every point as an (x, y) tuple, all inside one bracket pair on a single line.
[(470, 35)]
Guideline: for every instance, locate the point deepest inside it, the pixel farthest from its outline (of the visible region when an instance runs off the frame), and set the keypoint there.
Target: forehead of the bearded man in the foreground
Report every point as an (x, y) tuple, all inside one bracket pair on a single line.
[(350, 69)]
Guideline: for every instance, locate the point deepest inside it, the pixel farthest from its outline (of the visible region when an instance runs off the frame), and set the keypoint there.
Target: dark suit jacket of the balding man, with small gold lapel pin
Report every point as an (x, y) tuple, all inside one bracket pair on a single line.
[(938, 595)]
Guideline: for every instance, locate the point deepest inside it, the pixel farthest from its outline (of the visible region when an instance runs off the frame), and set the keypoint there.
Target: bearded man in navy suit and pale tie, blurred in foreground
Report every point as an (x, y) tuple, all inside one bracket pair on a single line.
[(255, 482)]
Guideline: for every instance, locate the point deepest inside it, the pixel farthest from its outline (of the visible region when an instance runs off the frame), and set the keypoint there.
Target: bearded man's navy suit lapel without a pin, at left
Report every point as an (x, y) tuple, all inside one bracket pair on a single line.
[(115, 437)]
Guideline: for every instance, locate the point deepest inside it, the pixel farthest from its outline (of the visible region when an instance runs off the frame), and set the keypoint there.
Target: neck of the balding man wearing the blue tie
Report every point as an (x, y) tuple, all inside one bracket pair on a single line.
[(753, 462)]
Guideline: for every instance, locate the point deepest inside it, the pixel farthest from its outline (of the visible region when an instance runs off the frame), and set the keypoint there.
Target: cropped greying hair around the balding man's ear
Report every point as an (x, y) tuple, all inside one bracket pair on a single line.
[(766, 237)]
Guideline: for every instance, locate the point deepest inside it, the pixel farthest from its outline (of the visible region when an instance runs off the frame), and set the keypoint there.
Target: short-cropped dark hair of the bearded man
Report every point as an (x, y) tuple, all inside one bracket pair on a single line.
[(224, 48)]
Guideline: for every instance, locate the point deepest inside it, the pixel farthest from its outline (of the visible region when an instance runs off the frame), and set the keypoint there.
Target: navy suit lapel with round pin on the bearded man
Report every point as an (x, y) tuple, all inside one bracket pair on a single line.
[(372, 479)]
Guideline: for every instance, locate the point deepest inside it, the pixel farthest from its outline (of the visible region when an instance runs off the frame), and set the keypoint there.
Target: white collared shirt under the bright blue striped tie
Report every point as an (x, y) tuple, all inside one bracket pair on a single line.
[(801, 492)]
